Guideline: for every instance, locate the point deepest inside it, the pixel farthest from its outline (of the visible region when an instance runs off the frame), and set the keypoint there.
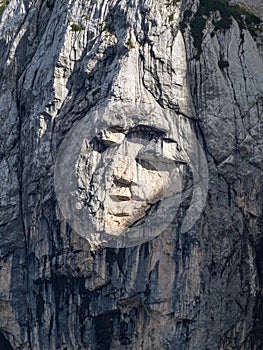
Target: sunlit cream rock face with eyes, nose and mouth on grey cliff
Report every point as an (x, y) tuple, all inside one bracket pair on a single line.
[(137, 169)]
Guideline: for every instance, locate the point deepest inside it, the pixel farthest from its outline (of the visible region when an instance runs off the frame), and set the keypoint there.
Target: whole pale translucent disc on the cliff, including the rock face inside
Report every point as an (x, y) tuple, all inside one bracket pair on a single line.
[(123, 186)]
